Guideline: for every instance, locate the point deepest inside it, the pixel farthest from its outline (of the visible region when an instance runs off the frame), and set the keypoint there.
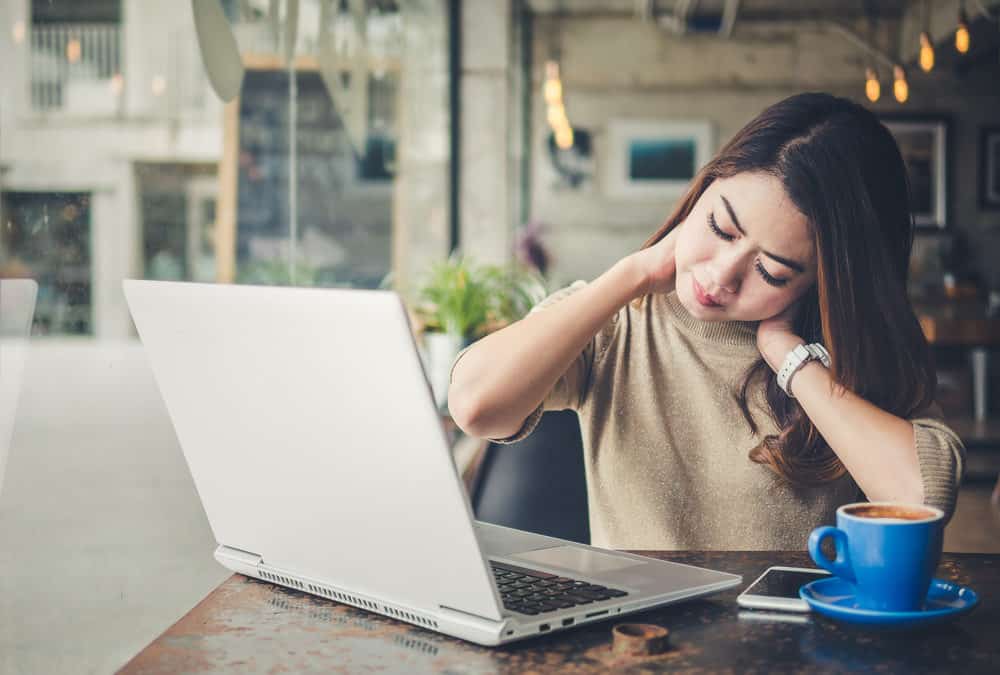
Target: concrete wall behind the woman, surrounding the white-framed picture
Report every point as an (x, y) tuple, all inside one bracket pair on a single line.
[(622, 68)]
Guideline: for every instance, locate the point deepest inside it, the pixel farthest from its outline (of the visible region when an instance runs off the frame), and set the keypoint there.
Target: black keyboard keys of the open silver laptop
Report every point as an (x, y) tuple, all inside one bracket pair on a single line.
[(532, 592)]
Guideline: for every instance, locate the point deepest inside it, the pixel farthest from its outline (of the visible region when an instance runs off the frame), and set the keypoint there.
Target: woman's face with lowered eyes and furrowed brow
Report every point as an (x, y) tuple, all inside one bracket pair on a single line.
[(745, 252)]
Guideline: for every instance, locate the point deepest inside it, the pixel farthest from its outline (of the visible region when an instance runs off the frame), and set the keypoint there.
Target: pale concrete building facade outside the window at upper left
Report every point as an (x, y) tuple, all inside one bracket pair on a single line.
[(58, 152)]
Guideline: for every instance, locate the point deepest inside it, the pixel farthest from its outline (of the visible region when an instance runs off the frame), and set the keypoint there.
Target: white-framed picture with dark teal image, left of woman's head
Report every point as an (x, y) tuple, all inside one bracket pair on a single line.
[(655, 159)]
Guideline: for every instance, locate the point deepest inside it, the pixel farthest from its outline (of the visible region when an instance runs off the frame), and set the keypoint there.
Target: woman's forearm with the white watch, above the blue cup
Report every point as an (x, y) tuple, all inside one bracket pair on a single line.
[(877, 447)]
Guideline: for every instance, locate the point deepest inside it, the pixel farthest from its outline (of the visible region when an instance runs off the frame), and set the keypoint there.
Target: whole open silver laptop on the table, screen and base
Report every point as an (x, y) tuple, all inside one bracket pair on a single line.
[(320, 458)]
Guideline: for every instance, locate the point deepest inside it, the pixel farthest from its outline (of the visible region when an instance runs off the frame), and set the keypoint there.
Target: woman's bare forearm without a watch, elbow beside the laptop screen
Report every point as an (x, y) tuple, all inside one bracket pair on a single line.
[(504, 376)]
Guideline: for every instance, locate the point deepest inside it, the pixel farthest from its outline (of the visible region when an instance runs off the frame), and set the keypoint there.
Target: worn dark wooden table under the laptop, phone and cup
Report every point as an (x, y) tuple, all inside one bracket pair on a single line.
[(246, 625)]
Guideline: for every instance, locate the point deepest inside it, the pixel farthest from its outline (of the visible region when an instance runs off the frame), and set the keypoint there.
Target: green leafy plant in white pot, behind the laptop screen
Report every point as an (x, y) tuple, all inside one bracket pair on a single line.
[(460, 301)]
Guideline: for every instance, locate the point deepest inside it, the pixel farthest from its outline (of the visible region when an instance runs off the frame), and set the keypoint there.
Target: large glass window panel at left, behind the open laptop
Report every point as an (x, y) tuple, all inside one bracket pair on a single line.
[(118, 160)]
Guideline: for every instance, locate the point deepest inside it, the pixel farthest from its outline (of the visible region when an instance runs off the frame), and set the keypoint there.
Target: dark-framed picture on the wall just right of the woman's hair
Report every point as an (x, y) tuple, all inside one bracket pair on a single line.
[(923, 142)]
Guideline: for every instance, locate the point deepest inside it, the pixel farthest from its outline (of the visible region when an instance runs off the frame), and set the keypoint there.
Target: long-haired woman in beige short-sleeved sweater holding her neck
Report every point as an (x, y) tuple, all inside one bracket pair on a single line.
[(797, 233)]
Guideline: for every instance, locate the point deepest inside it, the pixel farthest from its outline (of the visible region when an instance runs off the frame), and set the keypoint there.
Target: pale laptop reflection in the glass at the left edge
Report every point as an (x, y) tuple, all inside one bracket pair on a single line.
[(17, 308)]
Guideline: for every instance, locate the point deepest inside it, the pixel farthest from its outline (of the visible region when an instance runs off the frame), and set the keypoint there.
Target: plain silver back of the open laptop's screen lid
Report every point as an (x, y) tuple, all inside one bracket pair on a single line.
[(312, 436)]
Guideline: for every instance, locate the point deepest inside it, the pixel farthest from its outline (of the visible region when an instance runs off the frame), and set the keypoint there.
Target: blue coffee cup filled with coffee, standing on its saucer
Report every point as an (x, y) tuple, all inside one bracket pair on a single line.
[(888, 550)]
